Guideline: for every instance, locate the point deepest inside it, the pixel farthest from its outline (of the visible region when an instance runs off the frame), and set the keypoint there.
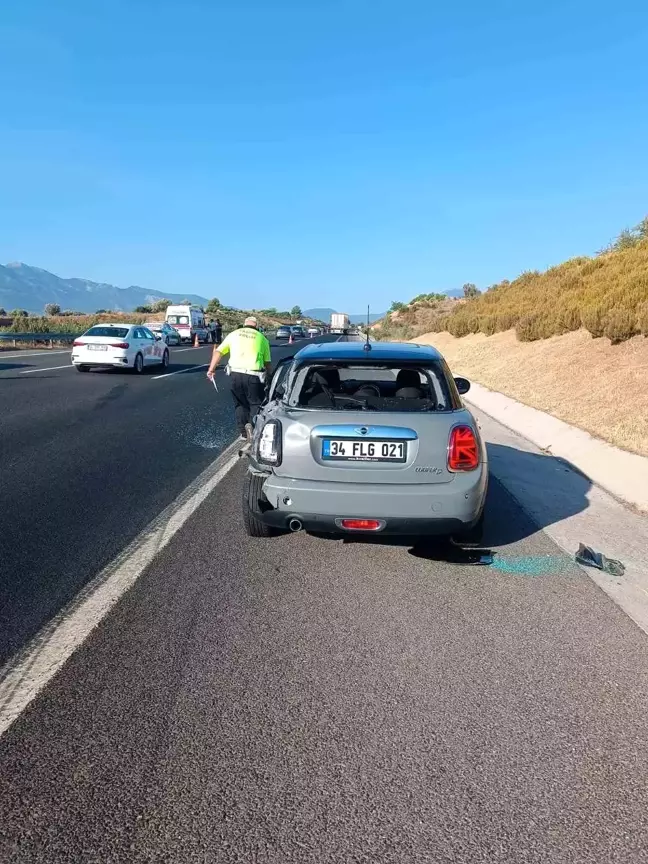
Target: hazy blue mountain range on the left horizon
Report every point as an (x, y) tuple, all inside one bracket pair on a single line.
[(31, 288)]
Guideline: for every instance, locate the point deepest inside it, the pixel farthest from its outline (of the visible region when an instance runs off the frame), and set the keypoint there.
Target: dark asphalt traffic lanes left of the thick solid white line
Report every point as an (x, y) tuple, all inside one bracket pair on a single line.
[(87, 462)]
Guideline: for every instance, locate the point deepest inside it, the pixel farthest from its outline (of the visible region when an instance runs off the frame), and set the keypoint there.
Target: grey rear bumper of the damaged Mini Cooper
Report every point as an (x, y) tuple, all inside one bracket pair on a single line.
[(412, 509)]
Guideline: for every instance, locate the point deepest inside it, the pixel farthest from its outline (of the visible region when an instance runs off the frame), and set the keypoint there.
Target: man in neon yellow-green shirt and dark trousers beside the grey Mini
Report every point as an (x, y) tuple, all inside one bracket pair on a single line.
[(249, 363)]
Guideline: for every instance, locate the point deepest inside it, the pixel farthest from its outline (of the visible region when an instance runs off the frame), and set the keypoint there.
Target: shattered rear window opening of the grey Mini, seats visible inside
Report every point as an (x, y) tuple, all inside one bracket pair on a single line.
[(379, 387)]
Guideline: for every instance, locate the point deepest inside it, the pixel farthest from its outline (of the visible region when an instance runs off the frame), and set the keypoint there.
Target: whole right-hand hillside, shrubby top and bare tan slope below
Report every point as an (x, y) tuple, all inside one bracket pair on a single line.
[(570, 341)]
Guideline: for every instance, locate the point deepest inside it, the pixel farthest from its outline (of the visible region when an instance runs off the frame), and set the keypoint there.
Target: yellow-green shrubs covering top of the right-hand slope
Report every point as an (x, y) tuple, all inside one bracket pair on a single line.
[(606, 294)]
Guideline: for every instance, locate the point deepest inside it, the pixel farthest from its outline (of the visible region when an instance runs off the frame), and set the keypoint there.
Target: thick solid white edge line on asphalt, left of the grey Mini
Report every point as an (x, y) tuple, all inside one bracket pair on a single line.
[(23, 678)]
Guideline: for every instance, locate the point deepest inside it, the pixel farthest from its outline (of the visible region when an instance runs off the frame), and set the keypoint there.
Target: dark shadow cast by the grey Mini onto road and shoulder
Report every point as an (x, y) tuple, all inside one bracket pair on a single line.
[(548, 490)]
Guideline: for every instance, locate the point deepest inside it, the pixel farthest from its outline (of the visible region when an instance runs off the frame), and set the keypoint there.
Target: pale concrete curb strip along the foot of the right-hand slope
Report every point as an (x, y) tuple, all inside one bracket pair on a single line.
[(624, 475)]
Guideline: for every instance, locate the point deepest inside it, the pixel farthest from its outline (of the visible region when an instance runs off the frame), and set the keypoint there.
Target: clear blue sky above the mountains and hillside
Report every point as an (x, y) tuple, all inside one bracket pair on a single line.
[(322, 153)]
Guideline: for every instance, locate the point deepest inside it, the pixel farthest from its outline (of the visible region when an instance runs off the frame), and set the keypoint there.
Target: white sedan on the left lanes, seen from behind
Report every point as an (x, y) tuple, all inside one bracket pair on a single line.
[(121, 346)]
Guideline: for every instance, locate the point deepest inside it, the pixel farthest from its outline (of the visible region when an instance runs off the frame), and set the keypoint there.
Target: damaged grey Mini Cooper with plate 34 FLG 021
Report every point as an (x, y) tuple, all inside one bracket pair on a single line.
[(358, 440)]
